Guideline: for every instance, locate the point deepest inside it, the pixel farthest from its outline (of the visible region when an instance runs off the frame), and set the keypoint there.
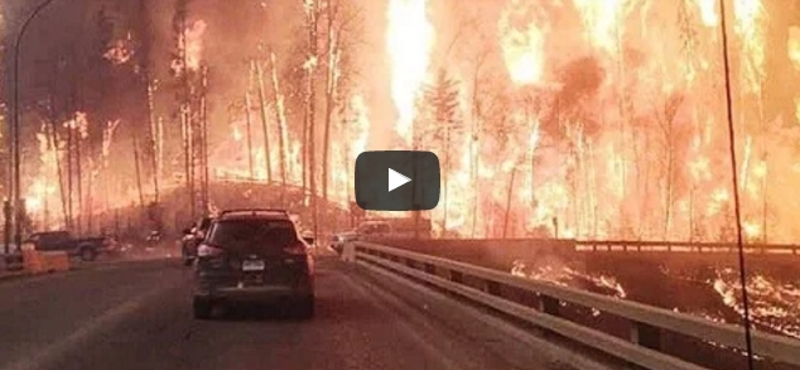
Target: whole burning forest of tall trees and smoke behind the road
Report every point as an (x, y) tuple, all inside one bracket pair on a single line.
[(589, 119)]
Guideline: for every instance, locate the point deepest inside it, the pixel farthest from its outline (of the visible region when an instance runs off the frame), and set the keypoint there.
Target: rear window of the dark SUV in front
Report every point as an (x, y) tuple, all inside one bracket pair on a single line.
[(237, 234)]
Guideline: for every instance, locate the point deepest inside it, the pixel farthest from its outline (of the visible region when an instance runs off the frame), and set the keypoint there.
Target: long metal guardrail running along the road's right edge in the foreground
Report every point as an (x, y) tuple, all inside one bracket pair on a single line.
[(647, 323)]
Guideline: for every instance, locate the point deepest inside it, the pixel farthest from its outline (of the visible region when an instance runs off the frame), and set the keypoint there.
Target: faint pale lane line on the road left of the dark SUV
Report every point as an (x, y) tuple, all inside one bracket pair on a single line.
[(57, 350)]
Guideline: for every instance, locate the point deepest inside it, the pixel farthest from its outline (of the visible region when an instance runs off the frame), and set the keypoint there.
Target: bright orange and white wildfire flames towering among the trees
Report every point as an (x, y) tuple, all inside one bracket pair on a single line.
[(622, 137)]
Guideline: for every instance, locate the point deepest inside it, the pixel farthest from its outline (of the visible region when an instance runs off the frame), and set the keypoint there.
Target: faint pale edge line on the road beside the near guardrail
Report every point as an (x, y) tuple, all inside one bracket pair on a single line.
[(556, 353)]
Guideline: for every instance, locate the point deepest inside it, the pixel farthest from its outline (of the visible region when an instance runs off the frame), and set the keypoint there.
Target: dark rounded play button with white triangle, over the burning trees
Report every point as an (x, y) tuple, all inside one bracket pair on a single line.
[(397, 180)]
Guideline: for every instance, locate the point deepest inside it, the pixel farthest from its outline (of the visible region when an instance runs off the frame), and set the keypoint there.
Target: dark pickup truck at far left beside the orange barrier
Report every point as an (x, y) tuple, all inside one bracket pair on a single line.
[(85, 248)]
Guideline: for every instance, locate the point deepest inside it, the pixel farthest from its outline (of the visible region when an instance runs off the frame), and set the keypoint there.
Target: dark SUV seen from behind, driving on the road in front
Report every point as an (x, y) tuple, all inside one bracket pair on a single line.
[(254, 255)]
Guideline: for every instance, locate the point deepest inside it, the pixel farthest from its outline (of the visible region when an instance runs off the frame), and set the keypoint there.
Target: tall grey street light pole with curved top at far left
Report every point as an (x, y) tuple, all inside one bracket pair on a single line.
[(17, 188)]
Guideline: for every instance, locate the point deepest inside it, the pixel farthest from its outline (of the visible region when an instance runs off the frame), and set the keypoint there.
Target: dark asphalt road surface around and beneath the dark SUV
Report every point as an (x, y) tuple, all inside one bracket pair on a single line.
[(137, 315)]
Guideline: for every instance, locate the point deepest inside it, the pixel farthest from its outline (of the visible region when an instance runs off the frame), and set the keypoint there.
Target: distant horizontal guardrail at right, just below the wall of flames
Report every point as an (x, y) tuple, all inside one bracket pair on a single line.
[(682, 247)]
